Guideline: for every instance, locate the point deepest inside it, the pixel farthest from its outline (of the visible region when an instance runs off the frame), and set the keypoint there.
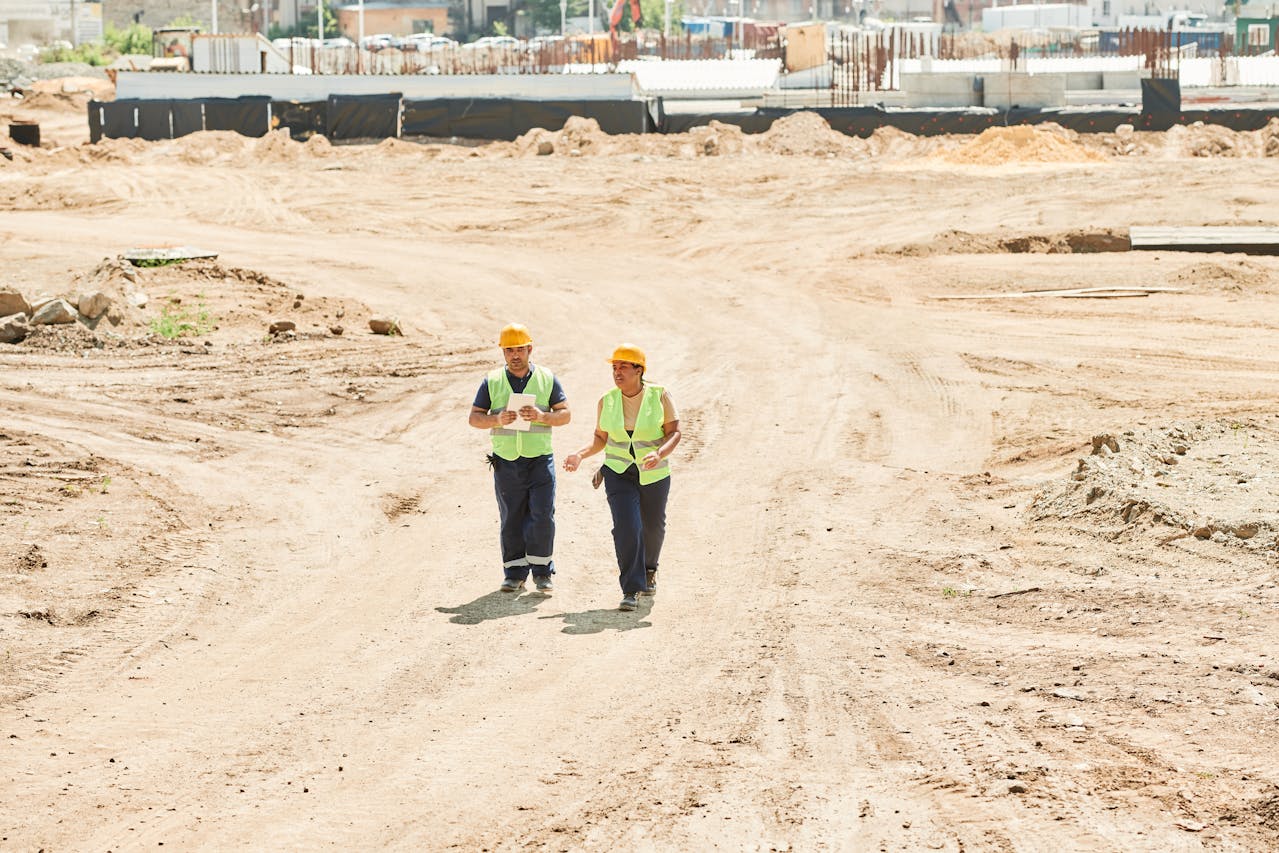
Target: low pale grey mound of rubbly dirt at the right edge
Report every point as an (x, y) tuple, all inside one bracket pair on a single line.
[(1214, 481)]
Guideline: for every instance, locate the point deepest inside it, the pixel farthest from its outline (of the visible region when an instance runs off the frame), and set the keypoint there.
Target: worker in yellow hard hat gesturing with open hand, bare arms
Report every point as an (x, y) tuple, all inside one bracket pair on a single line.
[(638, 428)]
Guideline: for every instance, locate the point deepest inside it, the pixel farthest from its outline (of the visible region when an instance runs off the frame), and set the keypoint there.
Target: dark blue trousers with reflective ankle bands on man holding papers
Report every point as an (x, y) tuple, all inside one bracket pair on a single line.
[(526, 505)]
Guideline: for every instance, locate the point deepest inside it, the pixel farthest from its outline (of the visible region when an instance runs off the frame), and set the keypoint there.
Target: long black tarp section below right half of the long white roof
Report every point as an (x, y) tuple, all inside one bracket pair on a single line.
[(487, 118)]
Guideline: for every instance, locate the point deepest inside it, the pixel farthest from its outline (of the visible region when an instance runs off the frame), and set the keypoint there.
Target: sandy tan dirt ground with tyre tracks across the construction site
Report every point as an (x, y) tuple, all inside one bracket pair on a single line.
[(984, 575)]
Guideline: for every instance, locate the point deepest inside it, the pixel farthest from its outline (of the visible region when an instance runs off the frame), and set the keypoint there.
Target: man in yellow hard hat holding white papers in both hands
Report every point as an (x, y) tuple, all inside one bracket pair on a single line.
[(524, 470)]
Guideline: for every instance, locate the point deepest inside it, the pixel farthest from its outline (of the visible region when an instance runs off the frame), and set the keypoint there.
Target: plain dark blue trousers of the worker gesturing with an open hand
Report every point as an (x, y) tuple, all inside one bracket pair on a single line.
[(639, 525)]
